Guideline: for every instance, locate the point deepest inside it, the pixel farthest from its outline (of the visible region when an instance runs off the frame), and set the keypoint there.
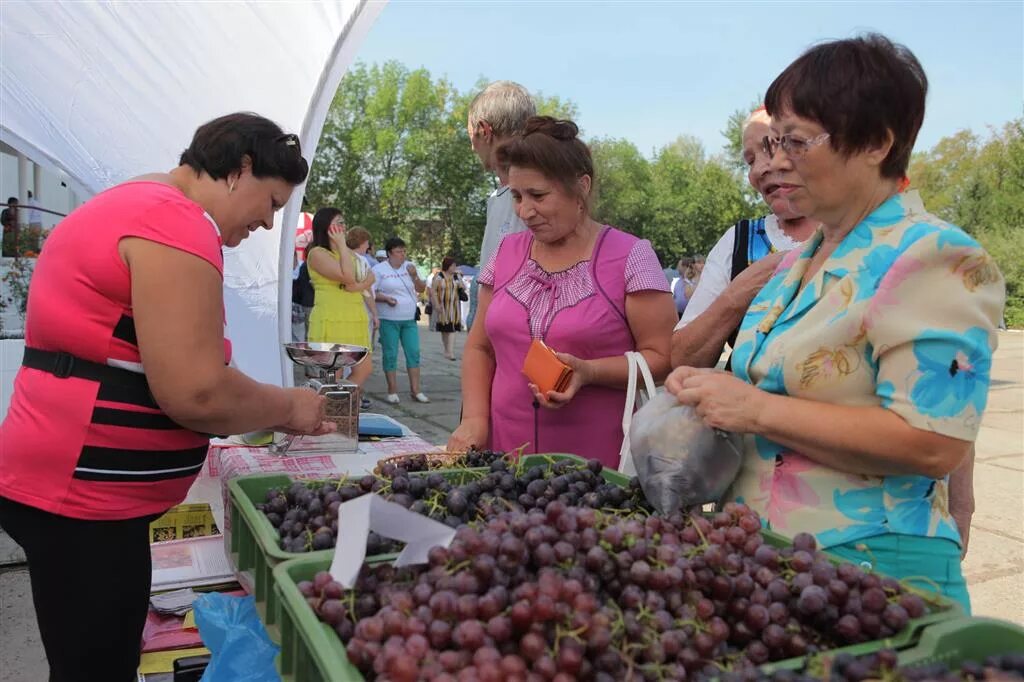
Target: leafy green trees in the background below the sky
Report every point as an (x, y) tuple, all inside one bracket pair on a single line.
[(396, 158)]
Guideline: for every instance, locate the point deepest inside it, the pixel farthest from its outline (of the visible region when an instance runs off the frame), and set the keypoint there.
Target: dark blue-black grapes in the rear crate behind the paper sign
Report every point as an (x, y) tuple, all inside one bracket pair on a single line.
[(306, 515)]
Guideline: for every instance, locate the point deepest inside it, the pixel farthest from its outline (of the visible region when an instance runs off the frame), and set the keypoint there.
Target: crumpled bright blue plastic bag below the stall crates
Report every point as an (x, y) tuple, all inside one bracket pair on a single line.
[(239, 645)]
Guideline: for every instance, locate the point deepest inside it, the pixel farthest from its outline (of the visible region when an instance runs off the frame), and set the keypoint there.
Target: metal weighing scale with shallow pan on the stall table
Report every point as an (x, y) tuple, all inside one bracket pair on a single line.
[(343, 399)]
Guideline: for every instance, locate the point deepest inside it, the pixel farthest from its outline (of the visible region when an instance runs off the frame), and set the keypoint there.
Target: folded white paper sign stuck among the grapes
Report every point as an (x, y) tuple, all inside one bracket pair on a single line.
[(371, 513)]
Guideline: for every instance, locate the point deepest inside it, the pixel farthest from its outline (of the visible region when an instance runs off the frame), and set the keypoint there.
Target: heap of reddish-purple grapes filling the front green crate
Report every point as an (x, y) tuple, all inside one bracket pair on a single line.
[(564, 593)]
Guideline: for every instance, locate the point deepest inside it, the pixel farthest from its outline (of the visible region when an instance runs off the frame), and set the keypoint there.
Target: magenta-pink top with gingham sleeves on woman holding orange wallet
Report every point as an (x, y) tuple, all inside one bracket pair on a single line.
[(581, 312)]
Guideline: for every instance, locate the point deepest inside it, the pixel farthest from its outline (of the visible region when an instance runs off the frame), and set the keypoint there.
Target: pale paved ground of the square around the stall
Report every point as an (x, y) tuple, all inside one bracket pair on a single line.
[(995, 566)]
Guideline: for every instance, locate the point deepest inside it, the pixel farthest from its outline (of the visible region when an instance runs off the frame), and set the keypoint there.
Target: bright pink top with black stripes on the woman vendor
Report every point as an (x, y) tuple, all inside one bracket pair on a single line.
[(101, 450)]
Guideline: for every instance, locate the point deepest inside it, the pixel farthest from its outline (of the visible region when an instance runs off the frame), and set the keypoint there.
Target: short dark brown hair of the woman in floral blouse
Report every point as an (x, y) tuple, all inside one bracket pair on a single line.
[(858, 90)]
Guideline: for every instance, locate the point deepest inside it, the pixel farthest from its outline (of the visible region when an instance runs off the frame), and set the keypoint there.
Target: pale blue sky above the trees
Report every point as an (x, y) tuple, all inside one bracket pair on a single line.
[(649, 72)]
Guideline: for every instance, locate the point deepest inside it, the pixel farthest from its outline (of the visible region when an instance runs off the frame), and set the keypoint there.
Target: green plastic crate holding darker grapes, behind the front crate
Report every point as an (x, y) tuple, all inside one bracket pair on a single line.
[(253, 544)]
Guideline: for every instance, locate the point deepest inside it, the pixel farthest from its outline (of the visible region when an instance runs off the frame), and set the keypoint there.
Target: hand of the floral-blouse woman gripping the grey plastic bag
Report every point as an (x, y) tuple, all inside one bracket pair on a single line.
[(722, 401)]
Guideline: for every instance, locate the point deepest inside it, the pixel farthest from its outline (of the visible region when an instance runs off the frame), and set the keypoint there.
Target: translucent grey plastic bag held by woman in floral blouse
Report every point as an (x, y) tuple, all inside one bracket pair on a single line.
[(680, 461)]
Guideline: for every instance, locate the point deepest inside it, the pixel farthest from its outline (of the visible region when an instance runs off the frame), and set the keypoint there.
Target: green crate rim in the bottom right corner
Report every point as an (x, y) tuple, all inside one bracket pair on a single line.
[(955, 642)]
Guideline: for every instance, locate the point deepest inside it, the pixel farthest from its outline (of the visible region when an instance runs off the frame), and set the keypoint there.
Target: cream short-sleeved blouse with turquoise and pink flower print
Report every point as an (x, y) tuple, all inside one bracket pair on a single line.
[(904, 315)]
